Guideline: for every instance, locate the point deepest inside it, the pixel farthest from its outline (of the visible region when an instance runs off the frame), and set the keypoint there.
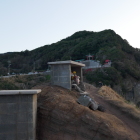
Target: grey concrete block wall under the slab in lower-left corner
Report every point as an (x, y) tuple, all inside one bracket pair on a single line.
[(18, 117)]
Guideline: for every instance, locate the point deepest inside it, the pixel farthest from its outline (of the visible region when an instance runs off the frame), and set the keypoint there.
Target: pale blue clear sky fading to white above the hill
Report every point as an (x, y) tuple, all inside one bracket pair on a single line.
[(29, 24)]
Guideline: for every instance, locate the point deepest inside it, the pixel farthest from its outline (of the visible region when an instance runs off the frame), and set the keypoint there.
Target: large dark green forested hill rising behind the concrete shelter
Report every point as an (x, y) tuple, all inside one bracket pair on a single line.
[(123, 76)]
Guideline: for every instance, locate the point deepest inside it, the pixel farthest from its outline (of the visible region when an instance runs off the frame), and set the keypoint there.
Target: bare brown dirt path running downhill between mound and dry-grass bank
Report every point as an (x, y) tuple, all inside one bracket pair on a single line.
[(130, 123)]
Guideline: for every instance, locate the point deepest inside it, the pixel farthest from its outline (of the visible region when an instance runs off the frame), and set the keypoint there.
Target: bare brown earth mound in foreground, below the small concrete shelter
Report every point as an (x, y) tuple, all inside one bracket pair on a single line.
[(60, 117)]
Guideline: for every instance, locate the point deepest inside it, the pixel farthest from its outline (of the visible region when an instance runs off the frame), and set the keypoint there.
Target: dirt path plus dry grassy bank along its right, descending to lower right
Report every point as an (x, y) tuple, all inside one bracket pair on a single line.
[(116, 106)]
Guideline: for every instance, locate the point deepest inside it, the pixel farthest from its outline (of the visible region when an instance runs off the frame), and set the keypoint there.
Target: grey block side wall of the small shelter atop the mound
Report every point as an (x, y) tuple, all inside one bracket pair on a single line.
[(61, 75)]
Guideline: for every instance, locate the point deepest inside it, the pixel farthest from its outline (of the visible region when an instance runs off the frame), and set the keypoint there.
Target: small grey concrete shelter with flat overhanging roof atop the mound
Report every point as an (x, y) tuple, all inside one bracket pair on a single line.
[(61, 72)]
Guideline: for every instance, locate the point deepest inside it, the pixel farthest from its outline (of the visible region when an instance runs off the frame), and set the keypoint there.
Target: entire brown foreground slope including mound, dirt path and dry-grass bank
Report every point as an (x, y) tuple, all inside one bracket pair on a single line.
[(61, 117)]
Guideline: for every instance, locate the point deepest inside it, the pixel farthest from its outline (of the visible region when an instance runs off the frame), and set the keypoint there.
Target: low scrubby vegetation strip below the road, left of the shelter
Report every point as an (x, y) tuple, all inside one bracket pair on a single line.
[(23, 81)]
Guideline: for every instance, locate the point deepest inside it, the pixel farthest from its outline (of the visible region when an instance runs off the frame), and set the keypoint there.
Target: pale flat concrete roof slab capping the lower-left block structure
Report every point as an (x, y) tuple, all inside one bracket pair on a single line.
[(16, 92)]
